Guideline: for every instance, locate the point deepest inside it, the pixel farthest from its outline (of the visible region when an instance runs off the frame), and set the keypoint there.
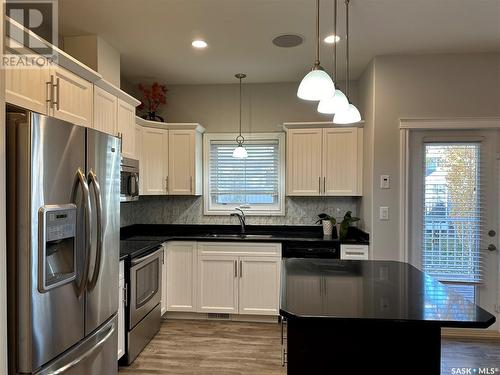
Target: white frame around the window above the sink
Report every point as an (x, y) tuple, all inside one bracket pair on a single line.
[(271, 210)]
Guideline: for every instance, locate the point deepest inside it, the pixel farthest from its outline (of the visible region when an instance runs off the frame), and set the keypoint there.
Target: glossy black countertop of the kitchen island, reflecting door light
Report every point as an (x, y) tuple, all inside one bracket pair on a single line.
[(373, 290)]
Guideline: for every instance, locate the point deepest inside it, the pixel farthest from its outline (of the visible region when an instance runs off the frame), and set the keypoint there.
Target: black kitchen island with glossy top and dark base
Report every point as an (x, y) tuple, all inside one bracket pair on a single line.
[(367, 317)]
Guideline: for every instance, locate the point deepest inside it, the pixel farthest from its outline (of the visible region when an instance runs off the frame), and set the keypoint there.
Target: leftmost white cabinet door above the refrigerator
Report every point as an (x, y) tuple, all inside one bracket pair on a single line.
[(28, 88)]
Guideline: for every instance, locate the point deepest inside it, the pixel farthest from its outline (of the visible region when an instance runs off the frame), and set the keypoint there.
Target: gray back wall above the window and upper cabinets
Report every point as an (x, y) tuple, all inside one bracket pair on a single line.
[(265, 106)]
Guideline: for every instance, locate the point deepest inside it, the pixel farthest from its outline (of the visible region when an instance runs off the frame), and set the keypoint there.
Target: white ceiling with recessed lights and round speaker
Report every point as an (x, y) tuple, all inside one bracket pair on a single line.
[(154, 36)]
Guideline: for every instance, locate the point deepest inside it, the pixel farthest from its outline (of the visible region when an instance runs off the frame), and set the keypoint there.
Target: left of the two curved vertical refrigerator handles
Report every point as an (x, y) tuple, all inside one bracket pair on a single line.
[(81, 181)]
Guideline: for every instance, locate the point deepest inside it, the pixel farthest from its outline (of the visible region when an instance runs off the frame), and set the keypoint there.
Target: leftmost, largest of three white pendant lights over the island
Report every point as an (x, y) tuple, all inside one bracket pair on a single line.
[(317, 84)]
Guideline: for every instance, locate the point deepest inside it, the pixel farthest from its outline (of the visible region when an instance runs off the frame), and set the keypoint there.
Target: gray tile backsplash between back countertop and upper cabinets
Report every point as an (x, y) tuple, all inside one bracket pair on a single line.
[(189, 210)]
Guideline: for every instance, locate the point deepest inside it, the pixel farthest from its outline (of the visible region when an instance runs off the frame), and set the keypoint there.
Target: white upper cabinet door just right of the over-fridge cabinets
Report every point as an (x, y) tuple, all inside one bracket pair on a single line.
[(105, 111)]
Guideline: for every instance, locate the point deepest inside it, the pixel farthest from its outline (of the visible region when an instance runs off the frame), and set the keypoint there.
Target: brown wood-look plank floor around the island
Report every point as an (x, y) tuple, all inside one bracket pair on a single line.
[(213, 347)]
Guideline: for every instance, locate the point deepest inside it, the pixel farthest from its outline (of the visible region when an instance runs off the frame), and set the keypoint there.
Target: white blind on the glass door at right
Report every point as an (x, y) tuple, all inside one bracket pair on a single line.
[(453, 213)]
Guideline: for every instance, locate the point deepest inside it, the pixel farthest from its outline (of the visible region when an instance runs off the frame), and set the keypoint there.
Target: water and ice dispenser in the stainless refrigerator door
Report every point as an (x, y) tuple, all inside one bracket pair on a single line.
[(57, 246)]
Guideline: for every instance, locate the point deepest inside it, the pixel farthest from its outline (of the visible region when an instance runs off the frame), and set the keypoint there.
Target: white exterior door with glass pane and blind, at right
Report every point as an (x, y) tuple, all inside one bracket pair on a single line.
[(454, 211)]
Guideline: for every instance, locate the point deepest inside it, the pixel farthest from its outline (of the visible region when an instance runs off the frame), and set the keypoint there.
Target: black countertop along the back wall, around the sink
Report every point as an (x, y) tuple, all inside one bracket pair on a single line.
[(151, 235)]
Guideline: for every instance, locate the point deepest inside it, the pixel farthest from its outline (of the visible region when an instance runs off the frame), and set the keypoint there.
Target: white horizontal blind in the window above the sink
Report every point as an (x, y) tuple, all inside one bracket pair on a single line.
[(253, 183)]
